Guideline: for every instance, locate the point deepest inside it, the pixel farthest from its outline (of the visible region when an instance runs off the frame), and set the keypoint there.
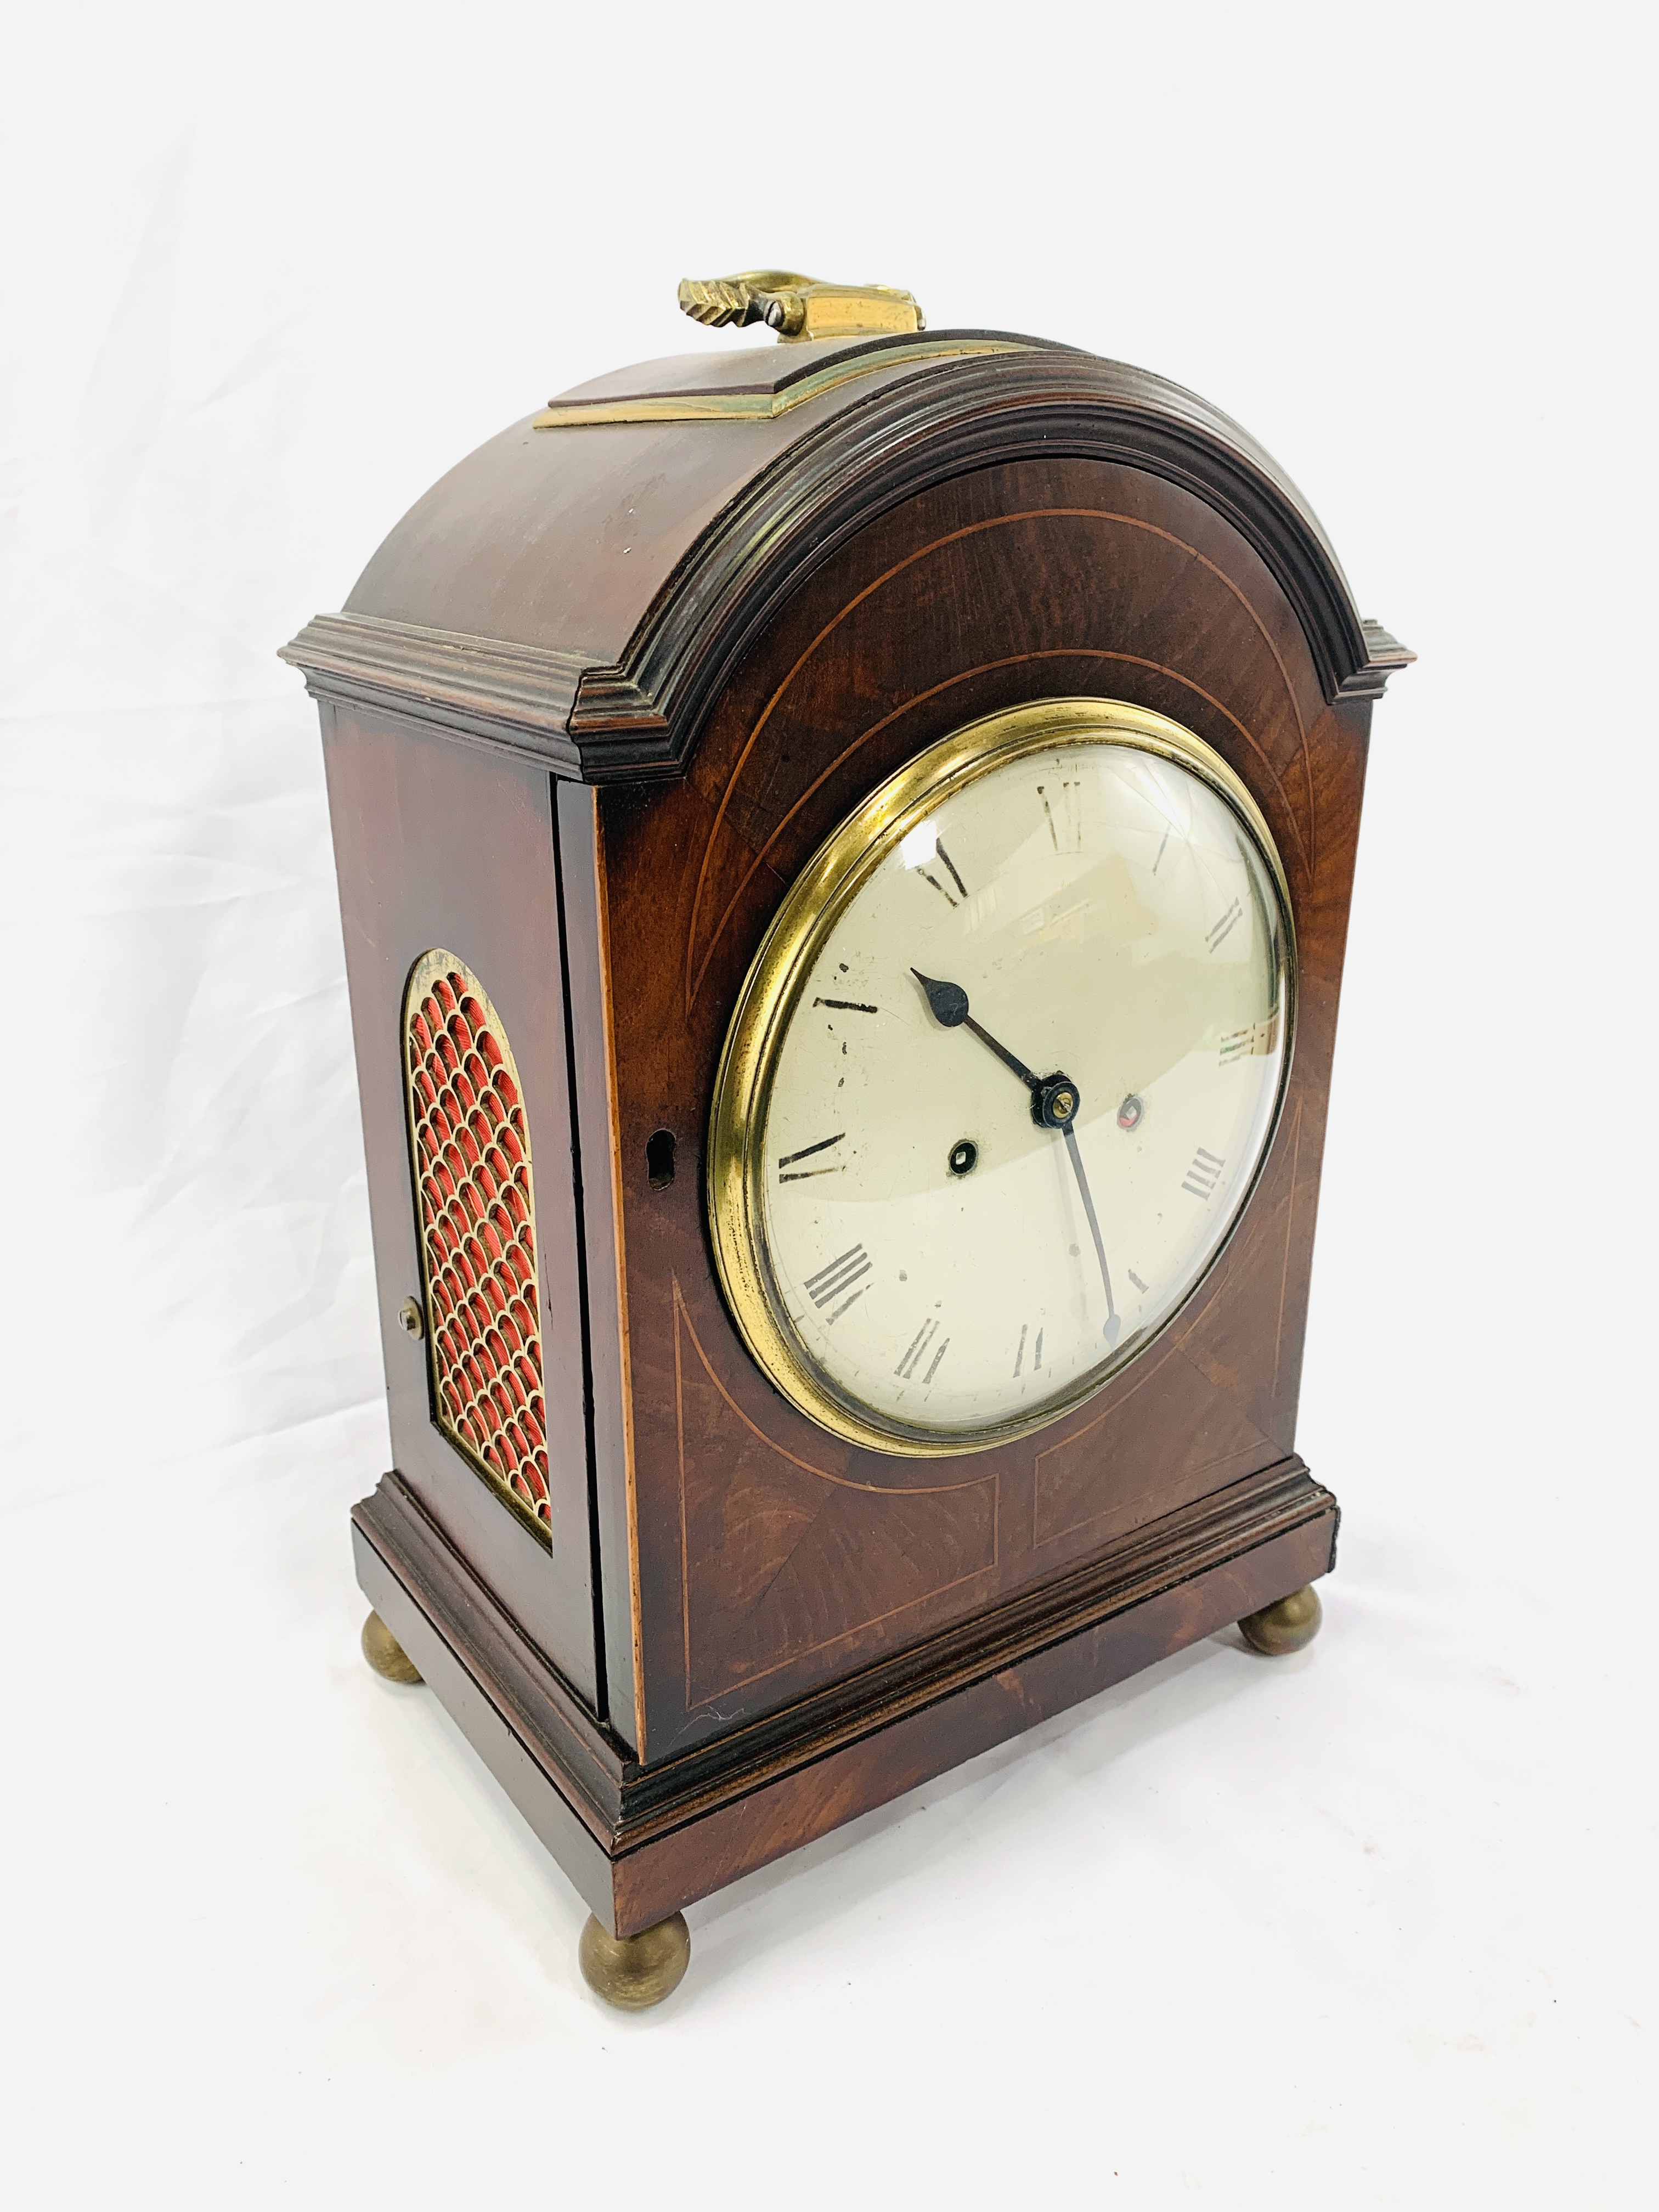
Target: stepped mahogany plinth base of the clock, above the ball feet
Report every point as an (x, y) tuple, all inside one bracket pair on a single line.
[(645, 1841)]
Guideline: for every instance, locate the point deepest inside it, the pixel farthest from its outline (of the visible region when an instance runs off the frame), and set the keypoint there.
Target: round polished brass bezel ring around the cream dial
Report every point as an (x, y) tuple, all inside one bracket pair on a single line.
[(773, 988)]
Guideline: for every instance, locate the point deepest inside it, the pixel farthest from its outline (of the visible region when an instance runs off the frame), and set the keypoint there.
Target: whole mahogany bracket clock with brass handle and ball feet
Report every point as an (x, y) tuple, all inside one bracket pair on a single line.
[(846, 855)]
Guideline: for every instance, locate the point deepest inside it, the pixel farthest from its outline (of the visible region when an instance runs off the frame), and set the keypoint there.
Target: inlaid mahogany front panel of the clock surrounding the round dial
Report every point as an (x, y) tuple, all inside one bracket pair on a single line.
[(775, 1556)]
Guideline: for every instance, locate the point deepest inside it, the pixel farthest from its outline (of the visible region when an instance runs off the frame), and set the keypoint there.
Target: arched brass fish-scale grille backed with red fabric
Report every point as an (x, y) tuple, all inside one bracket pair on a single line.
[(474, 1204)]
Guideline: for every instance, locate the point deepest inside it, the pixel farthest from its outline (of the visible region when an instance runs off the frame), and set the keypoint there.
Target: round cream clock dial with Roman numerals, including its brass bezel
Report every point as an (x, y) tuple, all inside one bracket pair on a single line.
[(1003, 1076)]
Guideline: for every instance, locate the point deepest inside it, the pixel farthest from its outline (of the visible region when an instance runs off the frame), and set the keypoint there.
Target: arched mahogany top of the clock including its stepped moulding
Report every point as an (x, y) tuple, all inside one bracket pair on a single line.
[(581, 587)]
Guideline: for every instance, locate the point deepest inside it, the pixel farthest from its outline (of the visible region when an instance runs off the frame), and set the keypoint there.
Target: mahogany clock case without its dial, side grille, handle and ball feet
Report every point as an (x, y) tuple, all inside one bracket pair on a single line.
[(587, 716)]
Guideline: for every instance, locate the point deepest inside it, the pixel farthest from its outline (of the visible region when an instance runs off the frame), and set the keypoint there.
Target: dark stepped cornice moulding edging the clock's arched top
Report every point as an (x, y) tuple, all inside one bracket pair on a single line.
[(638, 718)]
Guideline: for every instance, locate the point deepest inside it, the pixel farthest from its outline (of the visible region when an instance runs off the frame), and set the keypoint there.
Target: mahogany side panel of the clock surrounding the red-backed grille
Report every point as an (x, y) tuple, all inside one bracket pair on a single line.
[(439, 846)]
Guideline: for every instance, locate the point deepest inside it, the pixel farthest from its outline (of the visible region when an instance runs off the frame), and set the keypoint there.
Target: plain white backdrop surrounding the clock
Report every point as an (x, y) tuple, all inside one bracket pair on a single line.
[(1375, 1921)]
